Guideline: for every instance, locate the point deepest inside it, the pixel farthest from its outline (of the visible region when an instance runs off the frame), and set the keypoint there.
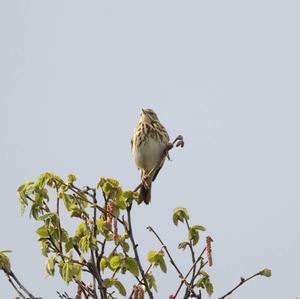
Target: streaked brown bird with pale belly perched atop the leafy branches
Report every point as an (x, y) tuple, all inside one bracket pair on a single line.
[(149, 141)]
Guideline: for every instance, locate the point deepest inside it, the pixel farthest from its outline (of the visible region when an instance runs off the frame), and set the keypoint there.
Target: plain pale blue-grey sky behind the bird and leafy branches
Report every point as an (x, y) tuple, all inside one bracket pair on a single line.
[(225, 74)]
